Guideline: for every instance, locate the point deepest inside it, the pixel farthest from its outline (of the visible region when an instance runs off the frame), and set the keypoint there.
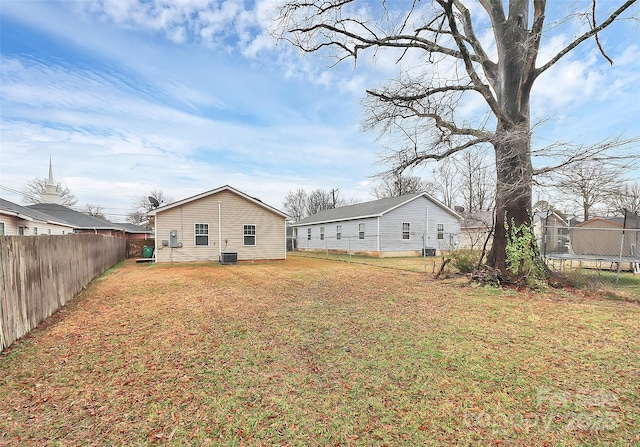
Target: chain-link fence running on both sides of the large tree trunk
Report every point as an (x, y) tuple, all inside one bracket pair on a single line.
[(600, 254)]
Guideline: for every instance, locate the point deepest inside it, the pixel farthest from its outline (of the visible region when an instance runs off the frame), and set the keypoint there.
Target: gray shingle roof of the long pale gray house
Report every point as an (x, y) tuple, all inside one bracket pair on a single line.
[(374, 208)]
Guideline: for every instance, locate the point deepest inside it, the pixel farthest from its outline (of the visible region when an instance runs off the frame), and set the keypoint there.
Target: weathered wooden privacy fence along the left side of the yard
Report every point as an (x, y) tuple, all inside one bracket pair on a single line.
[(39, 274)]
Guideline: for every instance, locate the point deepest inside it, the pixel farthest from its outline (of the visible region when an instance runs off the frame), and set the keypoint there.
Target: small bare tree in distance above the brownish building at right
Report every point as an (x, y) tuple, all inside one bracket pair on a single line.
[(588, 184)]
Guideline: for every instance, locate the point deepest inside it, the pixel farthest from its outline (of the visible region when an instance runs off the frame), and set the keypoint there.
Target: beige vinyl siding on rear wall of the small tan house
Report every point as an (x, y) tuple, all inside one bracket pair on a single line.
[(236, 211)]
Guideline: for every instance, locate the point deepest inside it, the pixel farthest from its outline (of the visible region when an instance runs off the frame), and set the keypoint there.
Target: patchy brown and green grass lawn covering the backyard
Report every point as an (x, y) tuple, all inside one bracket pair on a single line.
[(313, 352)]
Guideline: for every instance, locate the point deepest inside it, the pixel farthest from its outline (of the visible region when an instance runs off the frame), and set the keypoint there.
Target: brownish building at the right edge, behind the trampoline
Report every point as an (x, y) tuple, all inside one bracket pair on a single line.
[(603, 236)]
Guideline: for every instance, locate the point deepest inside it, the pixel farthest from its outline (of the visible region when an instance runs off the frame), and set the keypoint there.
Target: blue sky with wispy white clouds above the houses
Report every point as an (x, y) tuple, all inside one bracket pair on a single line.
[(129, 96)]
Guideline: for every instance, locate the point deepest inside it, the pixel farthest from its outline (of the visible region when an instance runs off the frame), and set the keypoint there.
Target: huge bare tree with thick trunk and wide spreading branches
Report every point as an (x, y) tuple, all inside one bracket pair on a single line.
[(421, 107)]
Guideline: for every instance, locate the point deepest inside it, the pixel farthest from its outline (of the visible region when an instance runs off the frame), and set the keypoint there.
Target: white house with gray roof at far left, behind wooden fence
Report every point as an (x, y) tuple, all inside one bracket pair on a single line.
[(23, 221)]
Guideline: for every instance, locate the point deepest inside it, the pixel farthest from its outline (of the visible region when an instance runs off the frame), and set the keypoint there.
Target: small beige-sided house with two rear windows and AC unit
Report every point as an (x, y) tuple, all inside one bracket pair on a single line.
[(223, 220)]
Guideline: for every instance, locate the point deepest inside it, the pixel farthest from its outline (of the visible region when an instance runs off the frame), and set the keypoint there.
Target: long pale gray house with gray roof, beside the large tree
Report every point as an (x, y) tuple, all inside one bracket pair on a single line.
[(387, 227)]
